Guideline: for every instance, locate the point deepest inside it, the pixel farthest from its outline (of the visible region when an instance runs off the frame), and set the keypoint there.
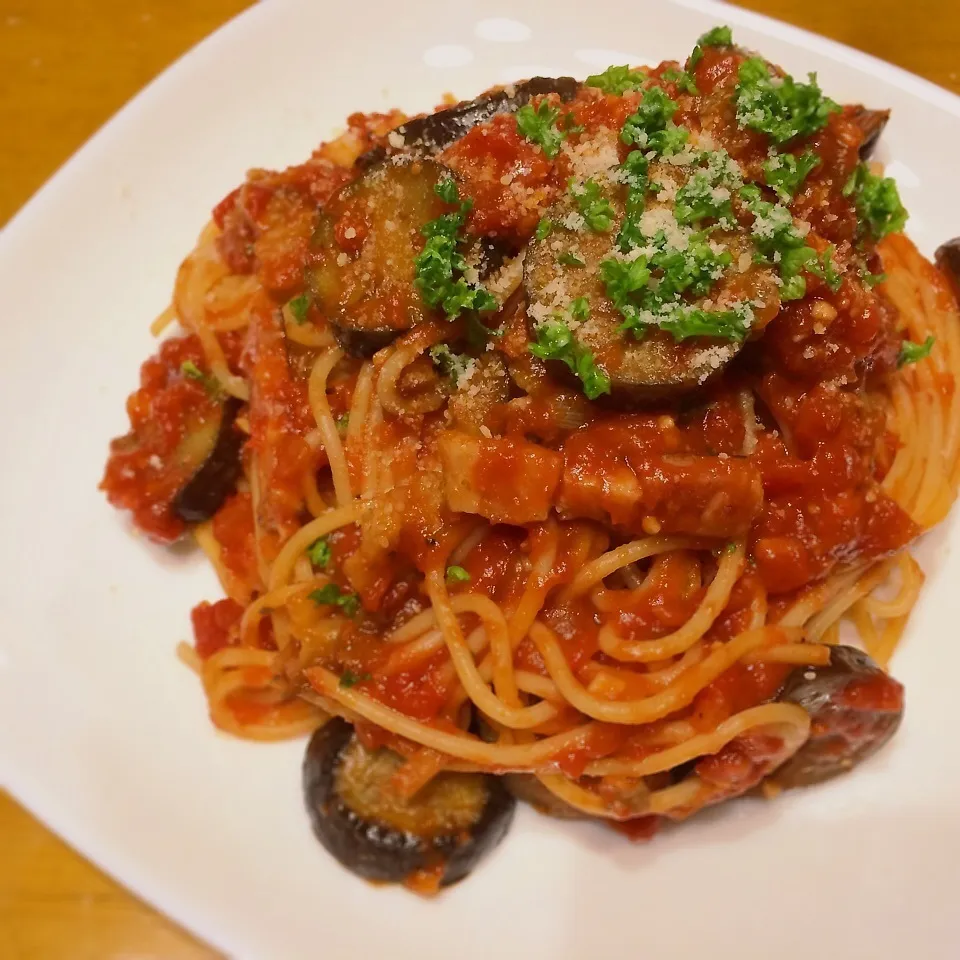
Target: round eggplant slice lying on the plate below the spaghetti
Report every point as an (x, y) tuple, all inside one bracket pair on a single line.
[(450, 825)]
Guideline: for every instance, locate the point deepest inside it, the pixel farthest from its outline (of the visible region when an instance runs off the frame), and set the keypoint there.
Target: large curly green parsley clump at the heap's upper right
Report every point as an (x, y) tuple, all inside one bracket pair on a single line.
[(779, 106)]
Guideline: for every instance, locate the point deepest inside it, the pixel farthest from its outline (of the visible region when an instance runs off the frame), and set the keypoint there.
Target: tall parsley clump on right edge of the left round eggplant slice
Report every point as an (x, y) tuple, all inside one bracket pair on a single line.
[(439, 268)]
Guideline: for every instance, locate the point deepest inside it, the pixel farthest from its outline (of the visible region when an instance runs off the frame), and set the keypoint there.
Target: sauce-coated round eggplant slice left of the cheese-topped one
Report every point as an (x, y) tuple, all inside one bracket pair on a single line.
[(365, 244)]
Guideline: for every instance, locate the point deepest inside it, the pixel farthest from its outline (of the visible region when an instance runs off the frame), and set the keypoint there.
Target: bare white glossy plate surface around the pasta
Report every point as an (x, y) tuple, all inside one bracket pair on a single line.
[(104, 735)]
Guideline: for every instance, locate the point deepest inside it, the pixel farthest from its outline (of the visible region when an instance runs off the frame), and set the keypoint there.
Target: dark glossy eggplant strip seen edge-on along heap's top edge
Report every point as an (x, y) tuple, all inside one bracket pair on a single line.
[(427, 136)]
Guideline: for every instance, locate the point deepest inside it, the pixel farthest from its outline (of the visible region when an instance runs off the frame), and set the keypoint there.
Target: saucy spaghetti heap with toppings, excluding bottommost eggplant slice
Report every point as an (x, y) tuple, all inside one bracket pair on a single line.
[(573, 429)]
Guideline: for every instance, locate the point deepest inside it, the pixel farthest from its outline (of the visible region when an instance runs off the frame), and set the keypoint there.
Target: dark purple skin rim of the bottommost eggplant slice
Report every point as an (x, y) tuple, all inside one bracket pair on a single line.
[(377, 851)]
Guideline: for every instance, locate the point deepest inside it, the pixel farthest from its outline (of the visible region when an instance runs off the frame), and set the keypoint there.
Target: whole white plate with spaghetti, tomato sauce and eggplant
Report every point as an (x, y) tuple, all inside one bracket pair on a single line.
[(540, 486)]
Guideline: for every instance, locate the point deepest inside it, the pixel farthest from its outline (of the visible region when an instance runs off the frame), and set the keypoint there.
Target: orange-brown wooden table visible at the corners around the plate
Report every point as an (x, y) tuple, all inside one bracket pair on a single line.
[(66, 66)]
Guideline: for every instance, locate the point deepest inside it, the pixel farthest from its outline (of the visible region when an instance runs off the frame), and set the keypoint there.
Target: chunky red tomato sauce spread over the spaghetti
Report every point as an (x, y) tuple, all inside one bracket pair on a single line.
[(786, 450)]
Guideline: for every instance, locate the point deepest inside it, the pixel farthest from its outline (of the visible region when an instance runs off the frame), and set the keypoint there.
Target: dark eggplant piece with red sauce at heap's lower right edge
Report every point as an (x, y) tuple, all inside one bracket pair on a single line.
[(855, 708)]
